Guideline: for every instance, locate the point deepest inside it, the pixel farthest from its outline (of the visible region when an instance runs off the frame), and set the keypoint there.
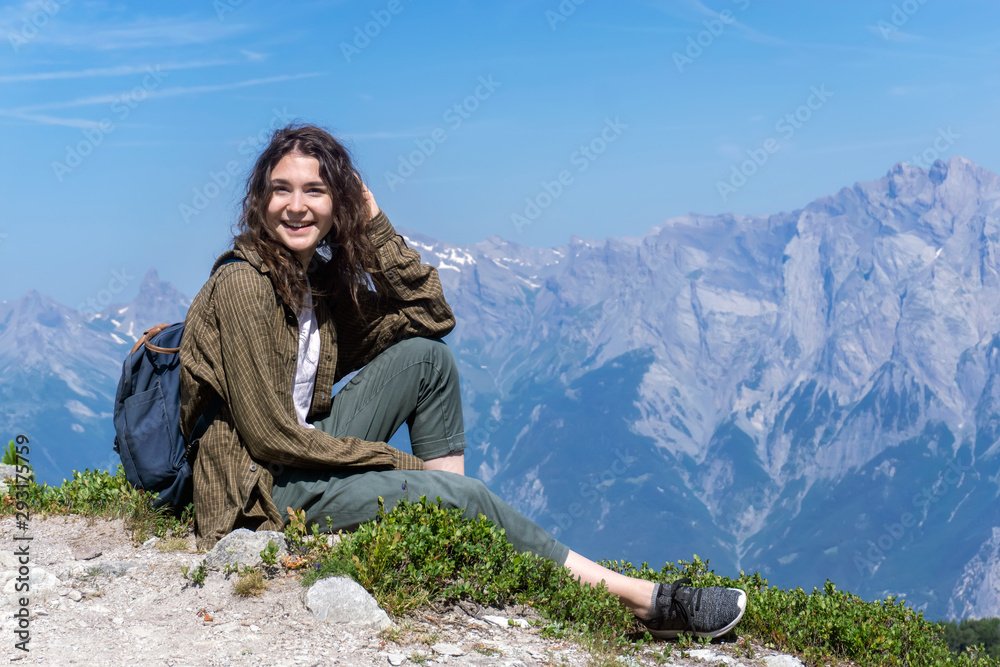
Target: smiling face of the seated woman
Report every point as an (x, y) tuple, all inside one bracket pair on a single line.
[(300, 211)]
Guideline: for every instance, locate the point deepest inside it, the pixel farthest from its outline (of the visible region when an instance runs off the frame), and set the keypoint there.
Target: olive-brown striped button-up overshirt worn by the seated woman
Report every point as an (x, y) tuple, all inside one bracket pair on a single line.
[(240, 343)]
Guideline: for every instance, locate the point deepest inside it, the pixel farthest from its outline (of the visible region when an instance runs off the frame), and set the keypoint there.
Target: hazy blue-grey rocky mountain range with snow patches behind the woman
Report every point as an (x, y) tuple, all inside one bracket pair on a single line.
[(812, 394)]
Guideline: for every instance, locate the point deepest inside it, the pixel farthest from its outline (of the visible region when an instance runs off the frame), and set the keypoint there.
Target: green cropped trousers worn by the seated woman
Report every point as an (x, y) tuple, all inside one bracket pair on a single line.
[(415, 381)]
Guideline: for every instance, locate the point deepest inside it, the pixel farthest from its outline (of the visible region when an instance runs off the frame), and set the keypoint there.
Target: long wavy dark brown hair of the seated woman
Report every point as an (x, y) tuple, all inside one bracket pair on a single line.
[(346, 249)]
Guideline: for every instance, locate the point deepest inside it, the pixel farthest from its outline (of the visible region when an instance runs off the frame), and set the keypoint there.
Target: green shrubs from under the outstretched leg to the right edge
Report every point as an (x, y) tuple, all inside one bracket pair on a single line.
[(420, 554)]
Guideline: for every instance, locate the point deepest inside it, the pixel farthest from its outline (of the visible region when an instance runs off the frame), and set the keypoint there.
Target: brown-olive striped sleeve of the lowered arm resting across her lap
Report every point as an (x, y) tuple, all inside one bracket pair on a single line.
[(250, 354)]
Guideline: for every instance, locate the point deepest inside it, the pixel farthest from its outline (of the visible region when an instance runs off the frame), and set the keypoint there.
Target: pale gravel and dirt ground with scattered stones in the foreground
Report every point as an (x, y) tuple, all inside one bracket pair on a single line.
[(96, 599)]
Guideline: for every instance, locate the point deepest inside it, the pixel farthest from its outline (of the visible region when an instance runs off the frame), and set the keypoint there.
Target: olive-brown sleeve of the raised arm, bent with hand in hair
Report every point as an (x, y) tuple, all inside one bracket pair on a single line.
[(407, 302)]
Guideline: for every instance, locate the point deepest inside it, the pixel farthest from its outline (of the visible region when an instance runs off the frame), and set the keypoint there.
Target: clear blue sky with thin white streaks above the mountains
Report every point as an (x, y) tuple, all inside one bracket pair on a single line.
[(127, 128)]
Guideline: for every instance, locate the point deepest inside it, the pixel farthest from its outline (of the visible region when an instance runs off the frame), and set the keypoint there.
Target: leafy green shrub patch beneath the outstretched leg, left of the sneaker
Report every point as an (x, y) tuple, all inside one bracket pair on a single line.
[(421, 553)]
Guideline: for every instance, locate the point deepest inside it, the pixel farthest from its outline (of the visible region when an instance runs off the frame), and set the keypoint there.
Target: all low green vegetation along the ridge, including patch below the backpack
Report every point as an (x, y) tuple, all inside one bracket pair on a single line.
[(420, 554)]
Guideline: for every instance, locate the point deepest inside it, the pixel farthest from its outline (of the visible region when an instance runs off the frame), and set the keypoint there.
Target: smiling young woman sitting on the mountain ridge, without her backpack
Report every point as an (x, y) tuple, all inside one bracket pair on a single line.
[(319, 284)]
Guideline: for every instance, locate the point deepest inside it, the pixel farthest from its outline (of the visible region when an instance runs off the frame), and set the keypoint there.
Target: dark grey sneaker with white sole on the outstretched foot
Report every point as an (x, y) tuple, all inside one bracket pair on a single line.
[(704, 612)]
